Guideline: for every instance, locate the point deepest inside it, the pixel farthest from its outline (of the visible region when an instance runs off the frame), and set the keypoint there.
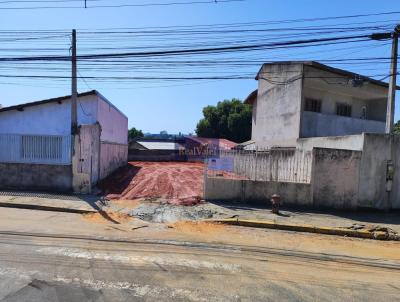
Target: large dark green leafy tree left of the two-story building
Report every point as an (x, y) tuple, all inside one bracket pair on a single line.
[(230, 119)]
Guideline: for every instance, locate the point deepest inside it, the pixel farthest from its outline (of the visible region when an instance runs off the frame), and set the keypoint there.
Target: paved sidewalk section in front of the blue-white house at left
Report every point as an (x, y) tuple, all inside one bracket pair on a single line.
[(50, 201)]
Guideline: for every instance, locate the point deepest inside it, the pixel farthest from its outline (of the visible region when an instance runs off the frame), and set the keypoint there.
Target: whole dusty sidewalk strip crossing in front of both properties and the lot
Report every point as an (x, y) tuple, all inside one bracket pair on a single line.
[(306, 220)]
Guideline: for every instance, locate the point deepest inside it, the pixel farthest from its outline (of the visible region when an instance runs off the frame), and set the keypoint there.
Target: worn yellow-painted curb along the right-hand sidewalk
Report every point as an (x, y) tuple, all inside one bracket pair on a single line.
[(268, 224)]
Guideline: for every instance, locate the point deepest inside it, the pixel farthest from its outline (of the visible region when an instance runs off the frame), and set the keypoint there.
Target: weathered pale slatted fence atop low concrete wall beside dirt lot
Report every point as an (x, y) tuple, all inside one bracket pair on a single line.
[(283, 165)]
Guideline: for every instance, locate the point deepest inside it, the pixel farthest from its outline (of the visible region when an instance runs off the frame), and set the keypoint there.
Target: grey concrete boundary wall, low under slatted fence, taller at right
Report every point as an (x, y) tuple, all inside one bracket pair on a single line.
[(344, 179)]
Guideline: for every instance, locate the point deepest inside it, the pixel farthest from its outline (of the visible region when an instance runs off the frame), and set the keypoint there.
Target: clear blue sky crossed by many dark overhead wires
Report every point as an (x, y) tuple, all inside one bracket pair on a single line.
[(161, 62)]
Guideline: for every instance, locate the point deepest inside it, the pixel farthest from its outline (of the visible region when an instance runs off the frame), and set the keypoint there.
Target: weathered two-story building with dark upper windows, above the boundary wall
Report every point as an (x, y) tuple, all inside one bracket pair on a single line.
[(300, 99)]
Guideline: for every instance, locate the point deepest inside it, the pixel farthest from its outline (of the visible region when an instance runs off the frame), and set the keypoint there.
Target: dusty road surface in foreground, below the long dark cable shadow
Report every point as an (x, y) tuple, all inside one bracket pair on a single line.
[(46, 268)]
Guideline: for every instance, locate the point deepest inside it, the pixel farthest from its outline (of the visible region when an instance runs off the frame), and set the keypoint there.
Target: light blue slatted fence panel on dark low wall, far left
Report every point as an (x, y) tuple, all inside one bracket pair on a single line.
[(35, 149)]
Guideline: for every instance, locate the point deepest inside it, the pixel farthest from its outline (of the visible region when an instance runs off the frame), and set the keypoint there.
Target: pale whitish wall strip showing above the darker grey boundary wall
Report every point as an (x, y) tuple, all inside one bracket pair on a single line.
[(347, 142)]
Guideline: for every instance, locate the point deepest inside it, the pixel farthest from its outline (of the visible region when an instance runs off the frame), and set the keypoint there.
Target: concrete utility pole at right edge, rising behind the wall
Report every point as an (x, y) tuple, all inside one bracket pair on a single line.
[(392, 82)]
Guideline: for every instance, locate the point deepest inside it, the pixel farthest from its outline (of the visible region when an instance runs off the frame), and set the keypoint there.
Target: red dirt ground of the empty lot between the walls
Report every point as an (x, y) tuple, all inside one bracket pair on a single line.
[(178, 182)]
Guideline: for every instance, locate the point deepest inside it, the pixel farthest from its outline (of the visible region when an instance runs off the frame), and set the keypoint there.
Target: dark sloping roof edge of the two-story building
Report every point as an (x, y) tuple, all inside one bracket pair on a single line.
[(330, 69)]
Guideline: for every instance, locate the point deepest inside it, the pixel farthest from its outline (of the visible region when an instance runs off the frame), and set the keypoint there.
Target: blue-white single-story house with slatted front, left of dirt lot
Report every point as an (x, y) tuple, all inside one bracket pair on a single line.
[(36, 146)]
